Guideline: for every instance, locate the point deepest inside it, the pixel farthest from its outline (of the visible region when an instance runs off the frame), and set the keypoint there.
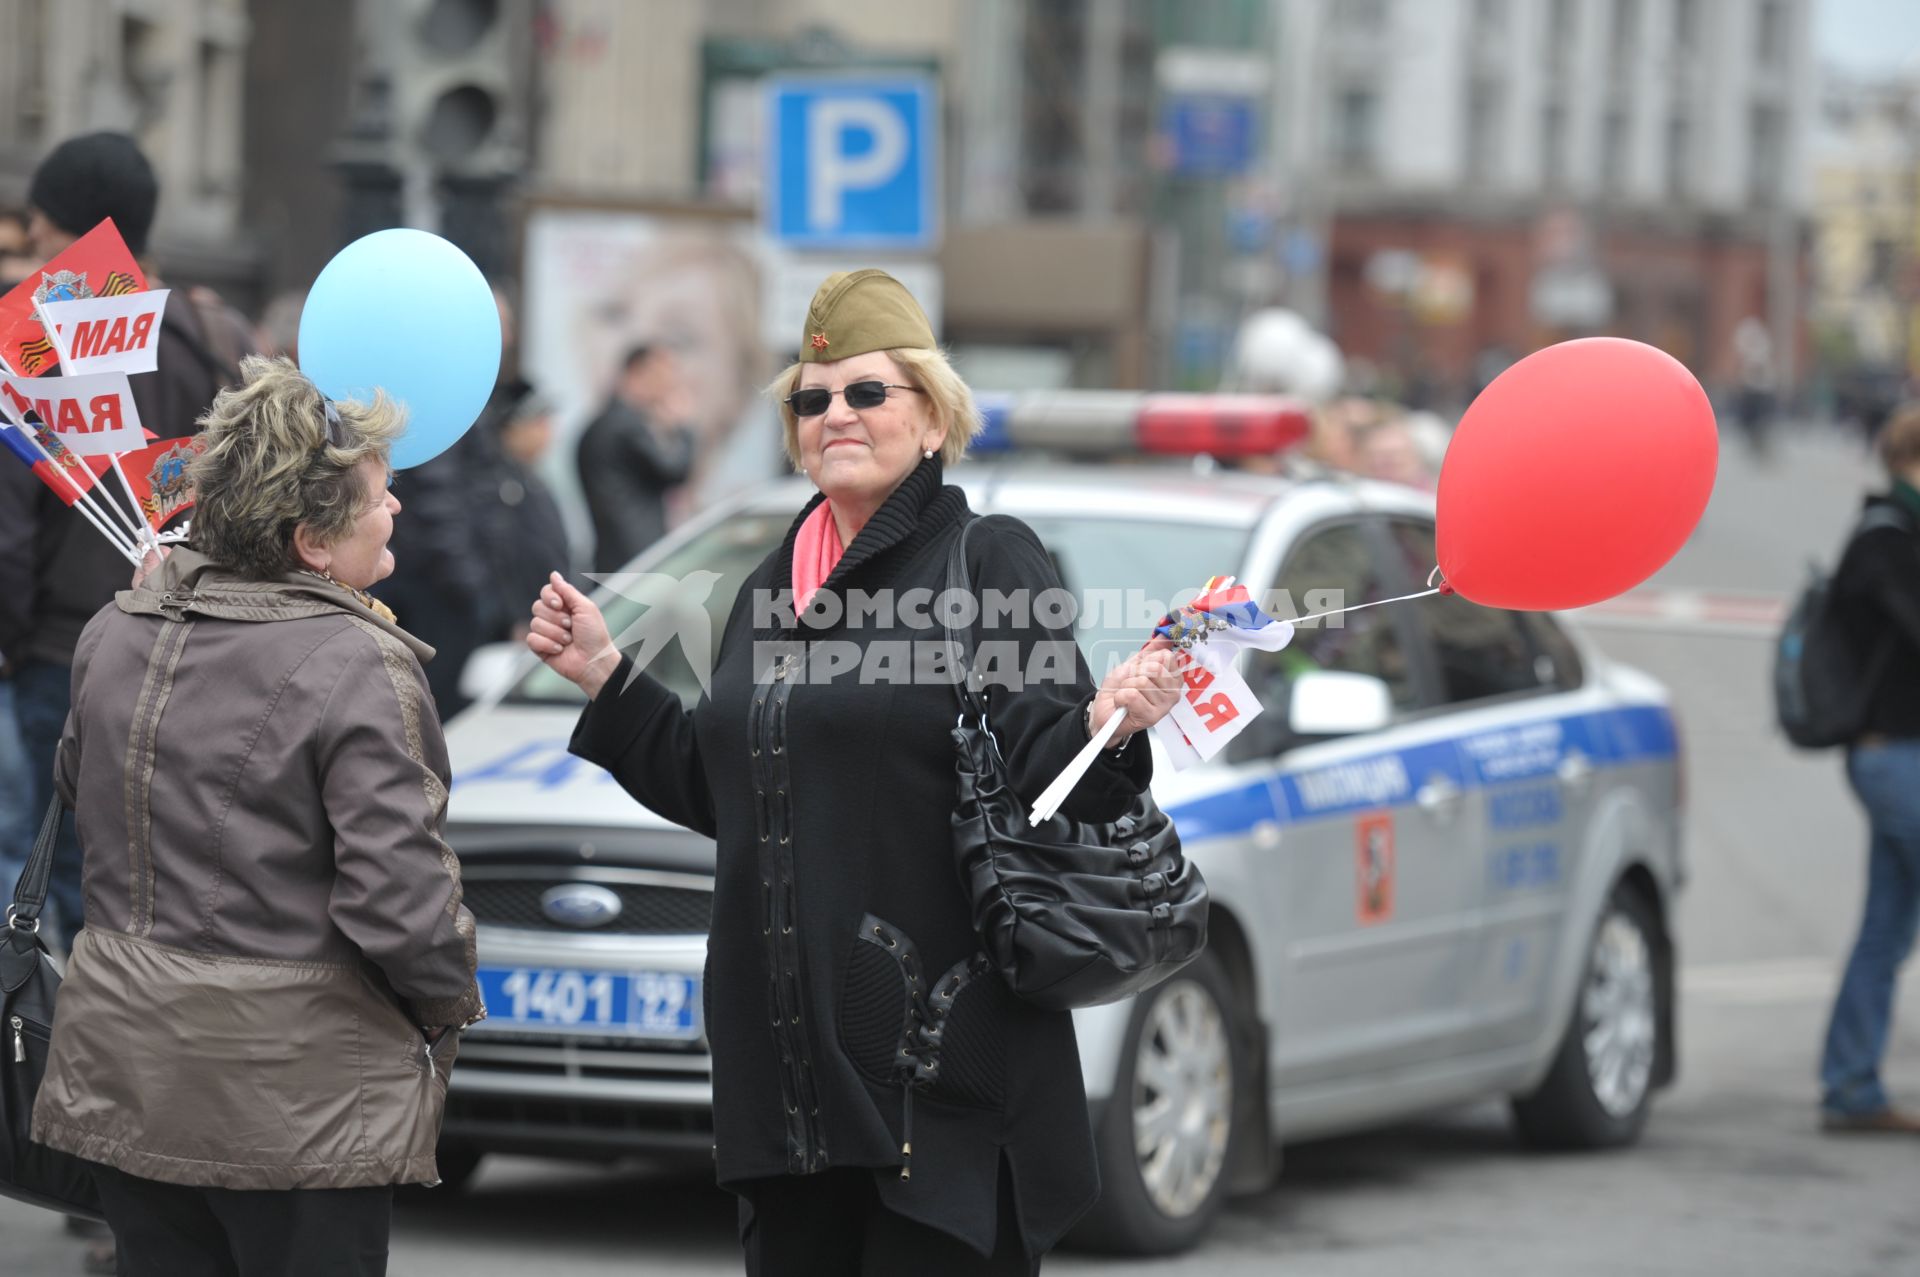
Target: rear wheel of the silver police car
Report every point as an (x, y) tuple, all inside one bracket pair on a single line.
[(1602, 1082)]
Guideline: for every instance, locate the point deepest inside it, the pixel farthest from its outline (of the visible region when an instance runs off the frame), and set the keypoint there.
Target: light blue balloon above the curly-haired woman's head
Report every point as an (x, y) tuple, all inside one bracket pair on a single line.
[(408, 314)]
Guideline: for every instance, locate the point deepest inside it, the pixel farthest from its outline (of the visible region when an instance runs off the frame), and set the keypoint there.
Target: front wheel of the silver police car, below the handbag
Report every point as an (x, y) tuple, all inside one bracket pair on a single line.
[(1166, 1136)]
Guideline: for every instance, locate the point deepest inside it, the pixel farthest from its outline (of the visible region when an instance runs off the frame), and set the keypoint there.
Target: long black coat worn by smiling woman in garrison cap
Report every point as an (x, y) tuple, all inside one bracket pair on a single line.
[(830, 804)]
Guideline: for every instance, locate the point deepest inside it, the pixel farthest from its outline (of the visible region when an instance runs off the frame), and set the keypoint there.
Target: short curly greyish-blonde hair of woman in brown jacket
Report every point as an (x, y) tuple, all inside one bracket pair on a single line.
[(270, 468)]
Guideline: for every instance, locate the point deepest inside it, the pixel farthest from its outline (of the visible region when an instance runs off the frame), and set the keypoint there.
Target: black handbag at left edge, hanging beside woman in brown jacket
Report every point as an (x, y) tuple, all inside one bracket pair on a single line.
[(28, 990)]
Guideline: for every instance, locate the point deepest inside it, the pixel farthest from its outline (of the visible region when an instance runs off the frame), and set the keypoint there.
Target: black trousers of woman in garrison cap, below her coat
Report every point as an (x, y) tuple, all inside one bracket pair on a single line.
[(834, 1226)]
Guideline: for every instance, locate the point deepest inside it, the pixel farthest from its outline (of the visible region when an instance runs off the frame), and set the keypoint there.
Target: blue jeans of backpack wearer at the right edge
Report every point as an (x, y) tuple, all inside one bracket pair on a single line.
[(1888, 783)]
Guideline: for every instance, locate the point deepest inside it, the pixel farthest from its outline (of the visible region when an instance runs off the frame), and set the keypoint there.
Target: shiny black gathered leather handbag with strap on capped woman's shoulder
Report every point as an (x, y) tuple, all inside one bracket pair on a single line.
[(1070, 913)]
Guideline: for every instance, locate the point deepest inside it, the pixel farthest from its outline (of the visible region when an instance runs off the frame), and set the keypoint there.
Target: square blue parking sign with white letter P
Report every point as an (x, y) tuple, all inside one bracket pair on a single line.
[(853, 162)]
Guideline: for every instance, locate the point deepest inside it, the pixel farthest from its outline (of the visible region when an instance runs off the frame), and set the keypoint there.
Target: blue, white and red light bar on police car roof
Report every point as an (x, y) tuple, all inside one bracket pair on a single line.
[(1128, 422)]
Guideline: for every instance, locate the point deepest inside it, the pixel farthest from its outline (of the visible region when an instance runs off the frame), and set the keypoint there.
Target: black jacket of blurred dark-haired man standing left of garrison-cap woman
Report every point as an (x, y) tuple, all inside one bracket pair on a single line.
[(627, 470)]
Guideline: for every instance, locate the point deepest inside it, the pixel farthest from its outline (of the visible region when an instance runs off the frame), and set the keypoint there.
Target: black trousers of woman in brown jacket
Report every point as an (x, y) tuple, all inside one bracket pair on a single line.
[(178, 1232)]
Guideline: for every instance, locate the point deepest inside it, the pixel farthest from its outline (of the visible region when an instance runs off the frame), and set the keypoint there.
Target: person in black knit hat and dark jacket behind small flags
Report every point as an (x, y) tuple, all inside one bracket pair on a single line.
[(51, 592)]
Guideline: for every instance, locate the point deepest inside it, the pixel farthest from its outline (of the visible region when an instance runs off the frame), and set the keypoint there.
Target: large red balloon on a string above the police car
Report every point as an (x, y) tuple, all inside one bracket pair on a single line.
[(1575, 475)]
